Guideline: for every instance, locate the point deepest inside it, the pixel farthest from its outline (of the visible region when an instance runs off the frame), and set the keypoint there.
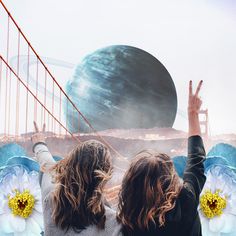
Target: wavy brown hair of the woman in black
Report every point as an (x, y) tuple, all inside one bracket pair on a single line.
[(148, 192)]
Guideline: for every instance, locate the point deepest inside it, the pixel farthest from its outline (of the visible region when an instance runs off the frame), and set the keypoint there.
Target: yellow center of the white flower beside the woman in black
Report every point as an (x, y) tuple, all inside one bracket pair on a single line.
[(212, 204)]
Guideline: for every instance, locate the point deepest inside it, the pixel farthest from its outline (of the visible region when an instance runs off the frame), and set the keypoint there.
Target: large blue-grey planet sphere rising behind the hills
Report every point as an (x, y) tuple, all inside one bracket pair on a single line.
[(121, 87)]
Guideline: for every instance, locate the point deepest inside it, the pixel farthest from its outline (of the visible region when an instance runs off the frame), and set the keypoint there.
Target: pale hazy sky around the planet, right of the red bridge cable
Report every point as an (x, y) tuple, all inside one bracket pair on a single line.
[(193, 39)]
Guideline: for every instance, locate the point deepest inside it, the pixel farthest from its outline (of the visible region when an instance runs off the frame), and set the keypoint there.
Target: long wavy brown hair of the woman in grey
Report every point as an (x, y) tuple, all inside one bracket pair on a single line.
[(80, 178)]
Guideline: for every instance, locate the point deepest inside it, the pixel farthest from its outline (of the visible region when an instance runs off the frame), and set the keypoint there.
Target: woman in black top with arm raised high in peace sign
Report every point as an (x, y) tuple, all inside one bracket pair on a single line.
[(153, 200)]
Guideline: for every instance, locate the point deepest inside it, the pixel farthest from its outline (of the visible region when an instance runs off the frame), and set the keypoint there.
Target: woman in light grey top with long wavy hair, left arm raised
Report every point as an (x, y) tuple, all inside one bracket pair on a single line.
[(72, 189)]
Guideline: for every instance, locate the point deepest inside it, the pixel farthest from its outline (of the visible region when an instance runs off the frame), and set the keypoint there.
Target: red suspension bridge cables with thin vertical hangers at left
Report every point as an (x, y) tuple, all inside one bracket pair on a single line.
[(23, 98)]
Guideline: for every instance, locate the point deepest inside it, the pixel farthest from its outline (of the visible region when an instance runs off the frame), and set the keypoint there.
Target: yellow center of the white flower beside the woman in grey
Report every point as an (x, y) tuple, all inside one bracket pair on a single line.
[(22, 204)]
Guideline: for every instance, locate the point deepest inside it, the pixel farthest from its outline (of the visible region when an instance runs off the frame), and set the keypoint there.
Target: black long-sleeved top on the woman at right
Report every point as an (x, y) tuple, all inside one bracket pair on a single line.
[(183, 219)]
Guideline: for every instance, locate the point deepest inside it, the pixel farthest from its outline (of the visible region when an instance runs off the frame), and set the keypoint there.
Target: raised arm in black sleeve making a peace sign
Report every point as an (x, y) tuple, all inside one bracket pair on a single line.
[(194, 177)]
